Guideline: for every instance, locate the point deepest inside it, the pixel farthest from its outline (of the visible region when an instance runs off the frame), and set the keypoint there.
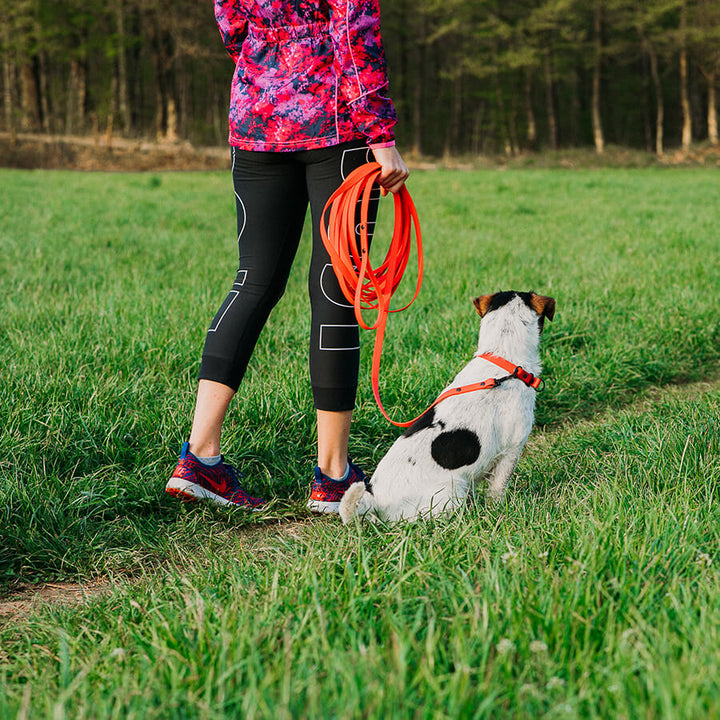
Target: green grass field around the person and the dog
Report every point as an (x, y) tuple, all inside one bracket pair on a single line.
[(592, 592)]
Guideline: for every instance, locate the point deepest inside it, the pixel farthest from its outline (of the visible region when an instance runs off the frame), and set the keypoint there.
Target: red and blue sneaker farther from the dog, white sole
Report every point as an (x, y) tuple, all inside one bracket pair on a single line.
[(219, 483)]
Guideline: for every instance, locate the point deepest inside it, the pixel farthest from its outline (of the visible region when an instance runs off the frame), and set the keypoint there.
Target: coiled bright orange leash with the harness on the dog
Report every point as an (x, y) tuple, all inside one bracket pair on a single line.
[(372, 288)]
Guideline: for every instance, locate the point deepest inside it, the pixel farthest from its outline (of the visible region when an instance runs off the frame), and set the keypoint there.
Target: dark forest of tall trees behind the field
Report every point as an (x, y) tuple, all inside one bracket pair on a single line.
[(467, 76)]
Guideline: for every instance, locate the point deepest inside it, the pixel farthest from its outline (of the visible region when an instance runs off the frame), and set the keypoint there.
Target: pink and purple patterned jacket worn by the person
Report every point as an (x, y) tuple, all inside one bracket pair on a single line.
[(309, 73)]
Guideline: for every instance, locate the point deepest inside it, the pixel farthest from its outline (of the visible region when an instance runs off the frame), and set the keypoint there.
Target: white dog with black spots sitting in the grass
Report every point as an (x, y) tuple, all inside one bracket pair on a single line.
[(474, 433)]
